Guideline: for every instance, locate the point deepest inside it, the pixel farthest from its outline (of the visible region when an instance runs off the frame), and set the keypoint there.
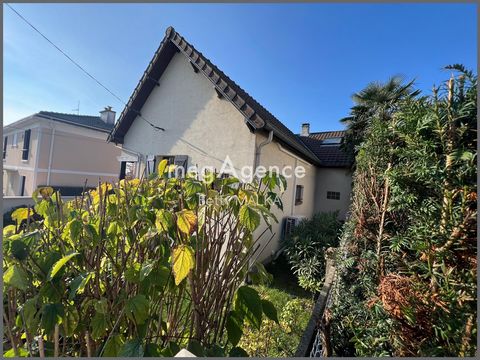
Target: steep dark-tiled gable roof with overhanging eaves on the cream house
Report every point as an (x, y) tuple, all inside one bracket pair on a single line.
[(257, 115)]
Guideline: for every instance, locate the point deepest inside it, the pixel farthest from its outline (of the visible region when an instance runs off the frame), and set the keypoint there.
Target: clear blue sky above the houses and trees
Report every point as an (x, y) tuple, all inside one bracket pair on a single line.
[(301, 61)]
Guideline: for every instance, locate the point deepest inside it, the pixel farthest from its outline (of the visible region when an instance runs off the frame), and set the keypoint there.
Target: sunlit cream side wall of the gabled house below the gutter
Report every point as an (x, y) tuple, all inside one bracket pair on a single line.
[(275, 154)]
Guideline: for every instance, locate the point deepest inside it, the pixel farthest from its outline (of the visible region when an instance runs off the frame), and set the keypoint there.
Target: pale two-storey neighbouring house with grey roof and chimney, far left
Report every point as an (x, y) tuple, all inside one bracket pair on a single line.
[(65, 151)]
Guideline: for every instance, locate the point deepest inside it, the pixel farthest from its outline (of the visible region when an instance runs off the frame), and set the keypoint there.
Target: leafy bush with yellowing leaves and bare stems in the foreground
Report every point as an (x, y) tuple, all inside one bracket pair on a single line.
[(139, 268)]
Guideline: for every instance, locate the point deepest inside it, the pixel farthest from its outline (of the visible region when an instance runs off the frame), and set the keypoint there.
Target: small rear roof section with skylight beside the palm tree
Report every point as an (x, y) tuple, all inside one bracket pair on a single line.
[(330, 155)]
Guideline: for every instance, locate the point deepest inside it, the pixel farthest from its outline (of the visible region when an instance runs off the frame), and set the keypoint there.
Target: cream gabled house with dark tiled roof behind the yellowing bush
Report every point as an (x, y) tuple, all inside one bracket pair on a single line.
[(186, 109)]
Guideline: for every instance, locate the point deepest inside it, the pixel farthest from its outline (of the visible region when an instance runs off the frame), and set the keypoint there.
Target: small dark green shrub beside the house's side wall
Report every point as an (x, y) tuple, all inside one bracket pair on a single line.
[(306, 248)]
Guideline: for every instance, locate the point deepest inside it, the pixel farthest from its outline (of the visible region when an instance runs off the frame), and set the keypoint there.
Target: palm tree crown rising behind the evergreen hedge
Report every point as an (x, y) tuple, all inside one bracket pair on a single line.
[(376, 99)]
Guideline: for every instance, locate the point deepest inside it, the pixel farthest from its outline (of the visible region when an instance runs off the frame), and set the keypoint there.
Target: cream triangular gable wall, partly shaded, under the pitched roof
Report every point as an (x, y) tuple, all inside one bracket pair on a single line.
[(197, 123)]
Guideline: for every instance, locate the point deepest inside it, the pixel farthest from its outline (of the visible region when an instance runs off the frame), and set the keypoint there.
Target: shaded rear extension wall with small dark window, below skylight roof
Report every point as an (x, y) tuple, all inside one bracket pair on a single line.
[(334, 180)]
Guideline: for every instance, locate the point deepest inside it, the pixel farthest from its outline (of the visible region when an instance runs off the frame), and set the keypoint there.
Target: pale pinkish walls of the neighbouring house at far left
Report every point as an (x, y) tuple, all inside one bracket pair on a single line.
[(70, 154)]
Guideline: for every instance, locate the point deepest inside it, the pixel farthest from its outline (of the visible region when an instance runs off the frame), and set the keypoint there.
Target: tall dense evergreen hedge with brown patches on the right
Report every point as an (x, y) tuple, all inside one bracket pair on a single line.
[(408, 279)]
